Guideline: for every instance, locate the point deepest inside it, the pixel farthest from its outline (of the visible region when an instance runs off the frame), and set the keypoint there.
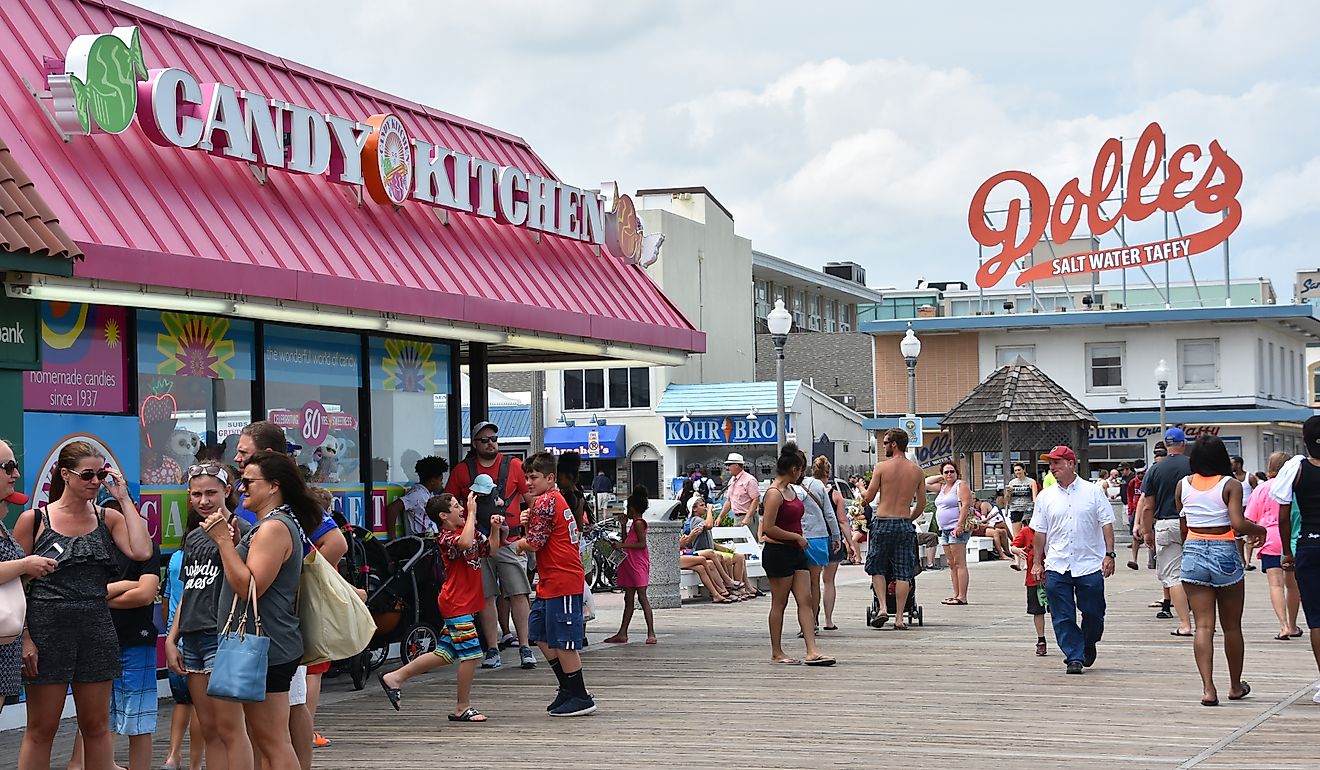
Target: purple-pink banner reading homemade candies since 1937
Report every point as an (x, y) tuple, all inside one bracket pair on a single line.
[(84, 360)]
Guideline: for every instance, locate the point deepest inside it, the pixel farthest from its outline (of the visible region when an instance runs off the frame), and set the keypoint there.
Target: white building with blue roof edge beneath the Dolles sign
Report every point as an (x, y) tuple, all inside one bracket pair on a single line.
[(1235, 372)]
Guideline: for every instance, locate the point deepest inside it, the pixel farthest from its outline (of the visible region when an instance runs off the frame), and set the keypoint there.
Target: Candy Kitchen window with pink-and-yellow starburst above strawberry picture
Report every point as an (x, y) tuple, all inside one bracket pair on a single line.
[(195, 396)]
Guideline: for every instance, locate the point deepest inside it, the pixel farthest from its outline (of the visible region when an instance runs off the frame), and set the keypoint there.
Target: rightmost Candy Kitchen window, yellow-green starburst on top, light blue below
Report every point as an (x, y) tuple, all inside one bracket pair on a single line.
[(410, 381)]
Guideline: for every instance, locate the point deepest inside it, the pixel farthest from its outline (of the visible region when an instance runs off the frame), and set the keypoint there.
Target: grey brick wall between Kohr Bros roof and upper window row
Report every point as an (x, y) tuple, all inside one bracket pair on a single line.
[(838, 364)]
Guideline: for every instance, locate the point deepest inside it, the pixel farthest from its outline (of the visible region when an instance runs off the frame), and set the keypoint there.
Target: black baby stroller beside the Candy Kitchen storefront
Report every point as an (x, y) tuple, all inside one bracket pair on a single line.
[(402, 579)]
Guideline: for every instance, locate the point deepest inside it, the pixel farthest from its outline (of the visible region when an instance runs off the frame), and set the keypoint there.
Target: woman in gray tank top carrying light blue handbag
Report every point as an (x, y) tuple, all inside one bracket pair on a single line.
[(271, 557)]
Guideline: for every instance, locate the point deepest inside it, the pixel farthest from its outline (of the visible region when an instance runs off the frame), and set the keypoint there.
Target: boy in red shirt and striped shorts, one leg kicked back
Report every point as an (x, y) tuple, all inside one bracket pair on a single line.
[(463, 549)]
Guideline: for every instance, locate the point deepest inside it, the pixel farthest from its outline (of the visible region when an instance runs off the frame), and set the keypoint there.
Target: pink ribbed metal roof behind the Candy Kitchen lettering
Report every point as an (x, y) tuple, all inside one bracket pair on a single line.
[(187, 220)]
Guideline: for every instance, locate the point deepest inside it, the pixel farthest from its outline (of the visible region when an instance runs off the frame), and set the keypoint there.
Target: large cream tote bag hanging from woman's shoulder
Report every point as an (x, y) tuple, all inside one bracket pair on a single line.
[(336, 624)]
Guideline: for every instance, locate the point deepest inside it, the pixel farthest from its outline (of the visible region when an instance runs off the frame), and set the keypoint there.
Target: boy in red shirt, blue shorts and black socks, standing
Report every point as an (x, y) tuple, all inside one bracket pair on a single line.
[(556, 620)]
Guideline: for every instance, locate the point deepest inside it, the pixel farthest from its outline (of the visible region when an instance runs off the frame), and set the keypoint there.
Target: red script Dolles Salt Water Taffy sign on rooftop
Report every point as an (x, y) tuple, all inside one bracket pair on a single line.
[(1212, 192)]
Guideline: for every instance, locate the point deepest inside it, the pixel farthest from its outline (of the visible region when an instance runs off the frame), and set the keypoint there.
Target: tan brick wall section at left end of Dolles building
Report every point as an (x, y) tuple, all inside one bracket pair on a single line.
[(947, 372)]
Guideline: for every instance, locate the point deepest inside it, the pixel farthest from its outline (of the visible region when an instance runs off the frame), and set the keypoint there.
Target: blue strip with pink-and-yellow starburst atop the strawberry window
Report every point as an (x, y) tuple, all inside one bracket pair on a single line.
[(189, 345)]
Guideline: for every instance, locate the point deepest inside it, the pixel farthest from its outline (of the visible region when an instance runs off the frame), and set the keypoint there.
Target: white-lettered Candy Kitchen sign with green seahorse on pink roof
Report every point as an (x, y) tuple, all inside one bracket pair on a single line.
[(104, 84)]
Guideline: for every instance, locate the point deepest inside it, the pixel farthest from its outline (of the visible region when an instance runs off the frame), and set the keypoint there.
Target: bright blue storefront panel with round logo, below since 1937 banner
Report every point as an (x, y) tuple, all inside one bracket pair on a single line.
[(113, 437)]
